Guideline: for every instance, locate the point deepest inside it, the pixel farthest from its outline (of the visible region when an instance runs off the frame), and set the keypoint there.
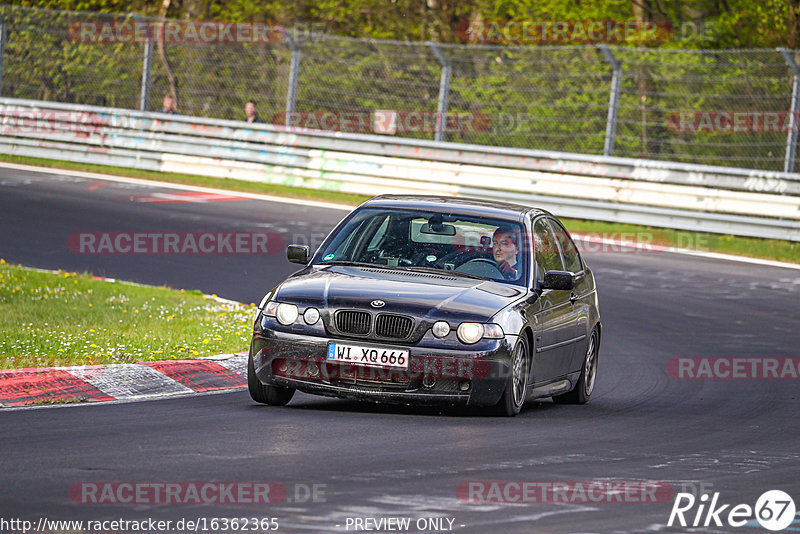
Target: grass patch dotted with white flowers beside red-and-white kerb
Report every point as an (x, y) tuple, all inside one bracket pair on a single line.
[(57, 319)]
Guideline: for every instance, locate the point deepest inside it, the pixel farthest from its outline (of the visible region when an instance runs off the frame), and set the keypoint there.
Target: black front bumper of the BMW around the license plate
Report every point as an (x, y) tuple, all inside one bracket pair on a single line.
[(434, 376)]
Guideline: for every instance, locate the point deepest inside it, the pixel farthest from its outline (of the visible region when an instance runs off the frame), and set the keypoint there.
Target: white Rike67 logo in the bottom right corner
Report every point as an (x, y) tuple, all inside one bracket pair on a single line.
[(774, 510)]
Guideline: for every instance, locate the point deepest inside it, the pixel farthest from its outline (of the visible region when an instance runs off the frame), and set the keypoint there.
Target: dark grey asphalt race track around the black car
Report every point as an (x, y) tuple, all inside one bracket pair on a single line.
[(737, 437)]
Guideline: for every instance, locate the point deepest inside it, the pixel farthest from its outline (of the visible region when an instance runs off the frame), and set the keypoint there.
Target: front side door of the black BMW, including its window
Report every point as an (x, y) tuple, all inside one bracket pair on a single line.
[(554, 322)]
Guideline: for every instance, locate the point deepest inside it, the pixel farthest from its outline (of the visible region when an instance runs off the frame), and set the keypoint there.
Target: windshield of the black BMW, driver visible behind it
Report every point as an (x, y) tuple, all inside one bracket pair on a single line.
[(426, 240)]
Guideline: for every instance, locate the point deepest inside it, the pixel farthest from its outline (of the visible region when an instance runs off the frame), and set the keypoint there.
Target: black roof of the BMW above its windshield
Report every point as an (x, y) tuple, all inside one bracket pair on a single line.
[(460, 205)]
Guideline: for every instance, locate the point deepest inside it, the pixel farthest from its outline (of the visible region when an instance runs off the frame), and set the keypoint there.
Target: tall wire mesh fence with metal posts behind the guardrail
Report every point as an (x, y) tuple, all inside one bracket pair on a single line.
[(718, 107)]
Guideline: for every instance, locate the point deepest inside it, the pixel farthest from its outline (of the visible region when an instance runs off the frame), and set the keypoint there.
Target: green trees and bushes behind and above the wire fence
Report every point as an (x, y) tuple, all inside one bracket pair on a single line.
[(528, 96)]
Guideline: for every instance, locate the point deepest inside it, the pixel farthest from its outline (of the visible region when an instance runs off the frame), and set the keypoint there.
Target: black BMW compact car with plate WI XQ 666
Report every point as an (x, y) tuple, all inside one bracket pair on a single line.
[(429, 300)]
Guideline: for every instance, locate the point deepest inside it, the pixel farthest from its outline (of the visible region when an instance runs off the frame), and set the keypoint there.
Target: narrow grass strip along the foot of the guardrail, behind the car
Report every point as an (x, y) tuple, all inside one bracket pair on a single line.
[(771, 249)]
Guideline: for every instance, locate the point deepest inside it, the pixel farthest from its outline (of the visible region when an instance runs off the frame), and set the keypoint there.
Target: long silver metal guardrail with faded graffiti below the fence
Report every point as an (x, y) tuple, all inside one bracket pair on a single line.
[(671, 195)]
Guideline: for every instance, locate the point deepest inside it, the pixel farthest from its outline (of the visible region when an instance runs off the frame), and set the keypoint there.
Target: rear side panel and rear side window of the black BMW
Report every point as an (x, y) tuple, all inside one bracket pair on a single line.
[(580, 296)]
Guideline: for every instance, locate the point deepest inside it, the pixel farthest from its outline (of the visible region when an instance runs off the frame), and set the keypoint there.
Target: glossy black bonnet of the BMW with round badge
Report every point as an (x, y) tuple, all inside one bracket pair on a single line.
[(423, 295)]
